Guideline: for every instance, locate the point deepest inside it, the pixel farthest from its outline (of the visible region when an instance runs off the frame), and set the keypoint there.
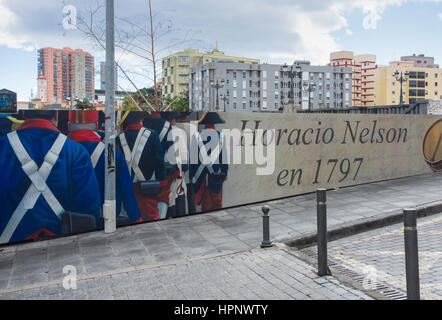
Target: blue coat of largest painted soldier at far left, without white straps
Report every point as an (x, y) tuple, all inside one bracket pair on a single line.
[(72, 180)]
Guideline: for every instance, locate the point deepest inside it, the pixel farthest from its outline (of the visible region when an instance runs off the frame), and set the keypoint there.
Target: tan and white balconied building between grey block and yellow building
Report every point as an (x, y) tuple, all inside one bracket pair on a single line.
[(364, 69)]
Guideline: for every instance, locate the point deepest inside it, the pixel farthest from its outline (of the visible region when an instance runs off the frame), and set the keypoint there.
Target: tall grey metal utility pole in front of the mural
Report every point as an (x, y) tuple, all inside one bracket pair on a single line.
[(109, 208)]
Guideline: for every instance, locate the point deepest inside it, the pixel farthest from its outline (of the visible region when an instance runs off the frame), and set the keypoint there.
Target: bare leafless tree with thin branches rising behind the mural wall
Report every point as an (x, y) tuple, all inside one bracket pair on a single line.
[(146, 43)]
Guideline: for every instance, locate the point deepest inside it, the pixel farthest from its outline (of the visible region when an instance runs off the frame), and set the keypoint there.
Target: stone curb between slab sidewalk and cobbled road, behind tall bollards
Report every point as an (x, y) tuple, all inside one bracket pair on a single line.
[(366, 224)]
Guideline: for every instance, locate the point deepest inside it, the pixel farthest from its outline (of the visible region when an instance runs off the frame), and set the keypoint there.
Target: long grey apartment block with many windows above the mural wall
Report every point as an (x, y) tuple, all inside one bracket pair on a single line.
[(268, 87)]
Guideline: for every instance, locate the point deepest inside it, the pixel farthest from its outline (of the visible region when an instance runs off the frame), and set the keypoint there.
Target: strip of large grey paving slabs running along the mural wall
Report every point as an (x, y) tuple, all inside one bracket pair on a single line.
[(204, 235)]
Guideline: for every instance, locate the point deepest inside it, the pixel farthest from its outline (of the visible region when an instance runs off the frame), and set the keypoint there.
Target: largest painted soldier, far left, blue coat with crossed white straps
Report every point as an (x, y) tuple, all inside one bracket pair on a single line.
[(44, 175)]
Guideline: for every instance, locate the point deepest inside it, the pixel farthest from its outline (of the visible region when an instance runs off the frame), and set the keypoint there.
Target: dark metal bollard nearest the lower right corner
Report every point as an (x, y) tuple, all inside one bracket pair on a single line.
[(411, 254)]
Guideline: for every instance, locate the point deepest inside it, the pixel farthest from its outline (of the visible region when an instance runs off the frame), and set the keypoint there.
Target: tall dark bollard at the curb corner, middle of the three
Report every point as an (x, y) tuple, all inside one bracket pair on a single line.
[(322, 232)]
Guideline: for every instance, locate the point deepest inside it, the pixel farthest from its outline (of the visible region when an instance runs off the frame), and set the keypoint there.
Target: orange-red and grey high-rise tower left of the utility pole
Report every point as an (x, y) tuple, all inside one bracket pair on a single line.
[(68, 73)]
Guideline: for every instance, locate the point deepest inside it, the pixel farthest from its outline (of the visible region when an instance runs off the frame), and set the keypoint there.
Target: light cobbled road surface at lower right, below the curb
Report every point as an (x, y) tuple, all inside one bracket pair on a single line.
[(381, 252)]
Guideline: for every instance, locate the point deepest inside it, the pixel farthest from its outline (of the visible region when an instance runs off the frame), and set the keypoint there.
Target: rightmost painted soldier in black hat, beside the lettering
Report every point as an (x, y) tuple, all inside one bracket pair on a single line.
[(208, 177)]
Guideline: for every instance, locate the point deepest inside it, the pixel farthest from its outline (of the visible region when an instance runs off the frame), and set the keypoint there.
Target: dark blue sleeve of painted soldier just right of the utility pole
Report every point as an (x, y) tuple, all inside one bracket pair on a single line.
[(125, 189)]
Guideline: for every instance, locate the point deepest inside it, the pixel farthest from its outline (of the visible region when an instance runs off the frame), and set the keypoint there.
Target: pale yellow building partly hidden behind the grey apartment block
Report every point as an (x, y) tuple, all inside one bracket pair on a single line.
[(176, 68)]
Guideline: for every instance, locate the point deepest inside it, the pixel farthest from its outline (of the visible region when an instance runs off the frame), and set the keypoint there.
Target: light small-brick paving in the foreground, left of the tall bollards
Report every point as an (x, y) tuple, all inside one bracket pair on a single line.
[(271, 274)]
